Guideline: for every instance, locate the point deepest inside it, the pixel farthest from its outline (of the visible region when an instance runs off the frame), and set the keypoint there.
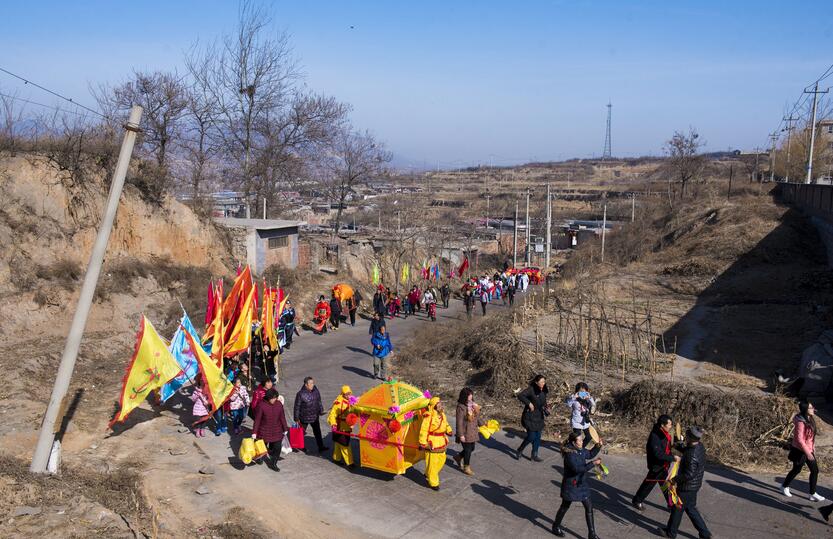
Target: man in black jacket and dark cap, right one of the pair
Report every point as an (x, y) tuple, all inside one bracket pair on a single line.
[(689, 480)]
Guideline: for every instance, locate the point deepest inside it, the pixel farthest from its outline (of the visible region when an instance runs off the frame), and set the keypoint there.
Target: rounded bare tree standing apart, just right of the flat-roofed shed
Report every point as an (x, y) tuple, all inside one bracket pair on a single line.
[(354, 157)]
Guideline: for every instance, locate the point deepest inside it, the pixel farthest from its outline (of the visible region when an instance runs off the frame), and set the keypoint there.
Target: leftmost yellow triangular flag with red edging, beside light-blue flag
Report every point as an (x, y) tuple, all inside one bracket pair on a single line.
[(151, 367)]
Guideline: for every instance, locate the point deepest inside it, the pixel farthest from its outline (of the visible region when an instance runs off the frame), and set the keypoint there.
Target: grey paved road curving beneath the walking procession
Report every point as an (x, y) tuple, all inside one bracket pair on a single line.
[(505, 496)]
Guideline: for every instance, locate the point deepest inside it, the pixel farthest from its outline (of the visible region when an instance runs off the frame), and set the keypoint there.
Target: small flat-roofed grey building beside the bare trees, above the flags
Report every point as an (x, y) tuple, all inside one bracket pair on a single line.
[(263, 242)]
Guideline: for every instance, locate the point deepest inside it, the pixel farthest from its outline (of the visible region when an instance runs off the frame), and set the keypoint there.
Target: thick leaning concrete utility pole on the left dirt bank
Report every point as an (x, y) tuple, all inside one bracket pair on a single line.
[(46, 437)]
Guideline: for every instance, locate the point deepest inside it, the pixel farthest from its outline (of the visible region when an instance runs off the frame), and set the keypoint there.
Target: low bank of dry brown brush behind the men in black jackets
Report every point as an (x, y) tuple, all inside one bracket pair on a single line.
[(742, 428)]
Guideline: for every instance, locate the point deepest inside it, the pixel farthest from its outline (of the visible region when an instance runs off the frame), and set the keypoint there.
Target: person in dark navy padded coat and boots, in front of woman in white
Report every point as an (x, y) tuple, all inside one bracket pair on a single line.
[(574, 487)]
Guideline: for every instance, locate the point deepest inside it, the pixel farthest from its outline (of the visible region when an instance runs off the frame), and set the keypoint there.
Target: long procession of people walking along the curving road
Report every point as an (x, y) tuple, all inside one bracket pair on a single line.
[(675, 462)]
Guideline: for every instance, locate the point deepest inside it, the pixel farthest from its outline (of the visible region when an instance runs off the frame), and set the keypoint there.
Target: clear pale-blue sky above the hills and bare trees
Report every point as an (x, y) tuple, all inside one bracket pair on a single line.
[(454, 83)]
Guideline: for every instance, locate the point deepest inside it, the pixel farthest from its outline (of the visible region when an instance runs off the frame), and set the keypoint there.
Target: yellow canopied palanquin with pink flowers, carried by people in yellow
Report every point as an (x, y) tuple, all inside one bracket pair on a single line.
[(389, 418)]
